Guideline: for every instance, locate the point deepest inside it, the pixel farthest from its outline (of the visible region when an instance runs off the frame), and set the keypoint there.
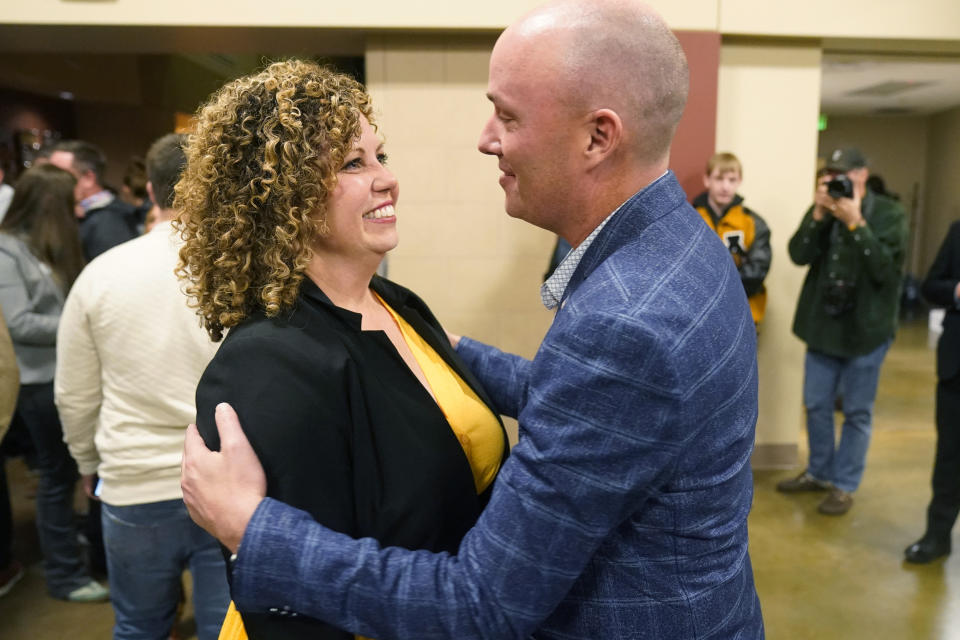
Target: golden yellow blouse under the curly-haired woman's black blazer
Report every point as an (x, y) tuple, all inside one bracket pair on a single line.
[(472, 421)]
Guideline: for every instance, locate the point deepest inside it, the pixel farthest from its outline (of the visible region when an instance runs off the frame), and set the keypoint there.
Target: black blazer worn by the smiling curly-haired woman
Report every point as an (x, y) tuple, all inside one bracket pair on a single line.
[(321, 399)]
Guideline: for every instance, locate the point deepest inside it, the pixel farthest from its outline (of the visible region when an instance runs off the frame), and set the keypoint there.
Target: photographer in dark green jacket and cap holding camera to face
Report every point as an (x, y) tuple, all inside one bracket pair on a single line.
[(854, 242)]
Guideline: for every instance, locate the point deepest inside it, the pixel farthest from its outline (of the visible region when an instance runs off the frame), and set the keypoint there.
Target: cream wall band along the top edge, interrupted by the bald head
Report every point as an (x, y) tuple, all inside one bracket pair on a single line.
[(924, 19)]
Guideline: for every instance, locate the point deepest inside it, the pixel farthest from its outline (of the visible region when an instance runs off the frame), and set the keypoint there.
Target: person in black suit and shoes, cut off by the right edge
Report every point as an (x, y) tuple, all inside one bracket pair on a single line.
[(942, 289)]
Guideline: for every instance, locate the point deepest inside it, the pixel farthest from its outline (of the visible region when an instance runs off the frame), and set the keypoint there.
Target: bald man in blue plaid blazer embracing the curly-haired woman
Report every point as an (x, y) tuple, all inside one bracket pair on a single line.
[(622, 512)]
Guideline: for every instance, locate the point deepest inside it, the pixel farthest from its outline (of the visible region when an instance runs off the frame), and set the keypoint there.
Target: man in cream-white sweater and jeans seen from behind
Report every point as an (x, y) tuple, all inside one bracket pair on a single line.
[(129, 355)]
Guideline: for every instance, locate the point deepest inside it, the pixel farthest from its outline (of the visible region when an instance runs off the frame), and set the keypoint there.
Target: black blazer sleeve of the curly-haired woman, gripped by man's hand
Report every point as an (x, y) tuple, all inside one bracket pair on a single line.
[(293, 408)]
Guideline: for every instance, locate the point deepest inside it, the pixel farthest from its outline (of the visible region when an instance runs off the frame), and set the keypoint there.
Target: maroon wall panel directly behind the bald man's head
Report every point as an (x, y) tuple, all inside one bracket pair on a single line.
[(697, 134)]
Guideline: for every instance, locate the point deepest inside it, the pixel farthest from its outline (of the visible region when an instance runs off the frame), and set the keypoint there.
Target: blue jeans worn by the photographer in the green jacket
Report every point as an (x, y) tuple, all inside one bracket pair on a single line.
[(856, 380)]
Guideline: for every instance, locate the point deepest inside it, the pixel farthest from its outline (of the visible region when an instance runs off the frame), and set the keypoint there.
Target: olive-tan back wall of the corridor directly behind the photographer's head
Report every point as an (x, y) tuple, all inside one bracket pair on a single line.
[(896, 148)]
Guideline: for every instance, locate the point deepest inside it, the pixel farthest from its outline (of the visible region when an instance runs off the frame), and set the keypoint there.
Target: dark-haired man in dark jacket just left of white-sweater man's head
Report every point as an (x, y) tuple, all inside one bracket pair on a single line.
[(105, 220)]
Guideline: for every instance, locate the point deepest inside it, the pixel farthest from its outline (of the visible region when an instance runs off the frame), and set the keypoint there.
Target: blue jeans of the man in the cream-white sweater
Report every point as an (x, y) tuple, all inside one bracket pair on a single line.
[(148, 546)]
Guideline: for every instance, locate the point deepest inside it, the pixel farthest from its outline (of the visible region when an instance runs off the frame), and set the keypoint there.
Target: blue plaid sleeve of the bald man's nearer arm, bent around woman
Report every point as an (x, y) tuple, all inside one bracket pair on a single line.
[(547, 517)]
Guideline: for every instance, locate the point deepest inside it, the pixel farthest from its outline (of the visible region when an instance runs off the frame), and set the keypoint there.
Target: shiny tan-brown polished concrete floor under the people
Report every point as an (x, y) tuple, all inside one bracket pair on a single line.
[(818, 577)]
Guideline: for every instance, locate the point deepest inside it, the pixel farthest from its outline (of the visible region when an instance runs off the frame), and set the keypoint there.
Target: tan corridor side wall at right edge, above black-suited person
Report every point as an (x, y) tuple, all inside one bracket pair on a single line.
[(943, 182)]
